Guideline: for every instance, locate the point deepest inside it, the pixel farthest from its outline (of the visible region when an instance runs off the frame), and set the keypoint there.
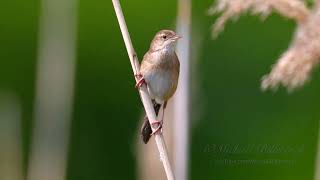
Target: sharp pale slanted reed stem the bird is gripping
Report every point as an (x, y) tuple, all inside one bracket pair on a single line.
[(145, 98)]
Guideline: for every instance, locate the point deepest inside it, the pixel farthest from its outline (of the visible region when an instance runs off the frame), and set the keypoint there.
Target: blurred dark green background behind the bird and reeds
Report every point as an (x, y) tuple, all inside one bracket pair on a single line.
[(228, 107)]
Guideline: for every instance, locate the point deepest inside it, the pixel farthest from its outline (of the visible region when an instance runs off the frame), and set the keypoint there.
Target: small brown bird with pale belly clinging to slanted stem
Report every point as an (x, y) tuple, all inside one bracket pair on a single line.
[(160, 71)]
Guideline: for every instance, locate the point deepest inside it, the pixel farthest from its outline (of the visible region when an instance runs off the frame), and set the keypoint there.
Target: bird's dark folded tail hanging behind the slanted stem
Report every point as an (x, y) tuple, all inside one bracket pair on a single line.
[(146, 129)]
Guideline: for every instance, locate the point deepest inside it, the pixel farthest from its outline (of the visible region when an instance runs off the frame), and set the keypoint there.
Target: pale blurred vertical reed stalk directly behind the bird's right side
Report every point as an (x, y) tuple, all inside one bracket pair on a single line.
[(181, 100)]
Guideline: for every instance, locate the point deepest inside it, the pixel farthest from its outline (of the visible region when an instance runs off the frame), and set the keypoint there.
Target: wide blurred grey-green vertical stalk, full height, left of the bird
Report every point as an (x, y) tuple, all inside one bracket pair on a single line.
[(54, 91)]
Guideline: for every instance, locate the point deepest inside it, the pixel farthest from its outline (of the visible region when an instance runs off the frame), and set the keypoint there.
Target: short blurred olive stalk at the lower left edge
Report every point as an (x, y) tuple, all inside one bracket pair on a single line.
[(10, 138)]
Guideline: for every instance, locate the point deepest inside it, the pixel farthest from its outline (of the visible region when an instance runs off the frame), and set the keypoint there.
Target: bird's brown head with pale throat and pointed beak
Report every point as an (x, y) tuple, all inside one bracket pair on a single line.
[(164, 40)]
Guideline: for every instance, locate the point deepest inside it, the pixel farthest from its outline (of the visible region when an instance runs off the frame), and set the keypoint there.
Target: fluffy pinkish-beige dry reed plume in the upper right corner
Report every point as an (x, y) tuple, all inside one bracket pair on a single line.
[(296, 64)]
